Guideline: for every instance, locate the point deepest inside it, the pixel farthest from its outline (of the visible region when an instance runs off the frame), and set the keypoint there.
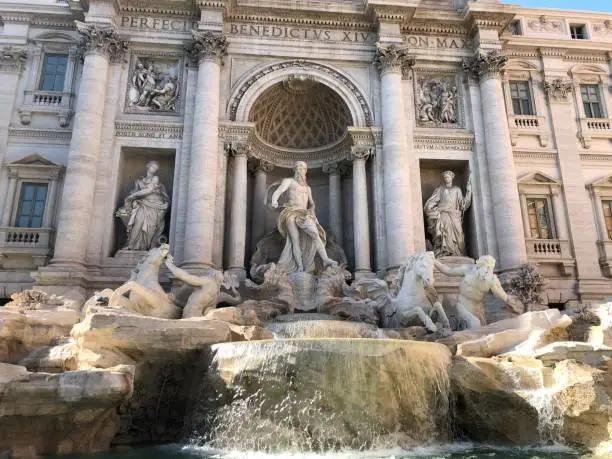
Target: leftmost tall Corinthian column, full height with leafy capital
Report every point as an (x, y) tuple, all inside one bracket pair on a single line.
[(100, 45)]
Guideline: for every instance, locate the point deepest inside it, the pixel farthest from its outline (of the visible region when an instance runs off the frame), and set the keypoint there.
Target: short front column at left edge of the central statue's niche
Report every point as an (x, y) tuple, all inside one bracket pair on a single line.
[(237, 229)]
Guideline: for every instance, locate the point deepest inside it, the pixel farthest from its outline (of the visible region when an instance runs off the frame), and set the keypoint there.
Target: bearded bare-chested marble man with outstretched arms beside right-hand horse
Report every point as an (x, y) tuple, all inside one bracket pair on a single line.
[(477, 281)]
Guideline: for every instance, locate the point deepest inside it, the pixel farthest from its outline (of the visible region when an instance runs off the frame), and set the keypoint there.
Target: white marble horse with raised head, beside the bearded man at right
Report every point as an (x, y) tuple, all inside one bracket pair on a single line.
[(416, 298)]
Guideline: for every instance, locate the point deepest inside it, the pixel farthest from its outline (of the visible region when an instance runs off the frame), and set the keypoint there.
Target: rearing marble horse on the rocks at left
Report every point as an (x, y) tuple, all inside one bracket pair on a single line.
[(146, 295)]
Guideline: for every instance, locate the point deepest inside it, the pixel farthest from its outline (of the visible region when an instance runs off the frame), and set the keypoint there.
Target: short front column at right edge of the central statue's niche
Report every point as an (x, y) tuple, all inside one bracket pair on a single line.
[(361, 218)]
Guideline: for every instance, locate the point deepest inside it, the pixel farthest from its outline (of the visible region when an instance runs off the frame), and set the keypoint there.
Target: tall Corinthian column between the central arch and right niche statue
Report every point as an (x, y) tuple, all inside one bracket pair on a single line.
[(397, 194)]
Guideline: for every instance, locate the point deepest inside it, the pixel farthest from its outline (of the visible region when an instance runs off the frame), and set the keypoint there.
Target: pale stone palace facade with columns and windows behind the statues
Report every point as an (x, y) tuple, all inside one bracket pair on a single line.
[(378, 97)]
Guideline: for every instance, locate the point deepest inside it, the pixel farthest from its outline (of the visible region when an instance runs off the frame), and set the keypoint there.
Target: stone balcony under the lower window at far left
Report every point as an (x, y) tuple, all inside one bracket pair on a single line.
[(33, 242)]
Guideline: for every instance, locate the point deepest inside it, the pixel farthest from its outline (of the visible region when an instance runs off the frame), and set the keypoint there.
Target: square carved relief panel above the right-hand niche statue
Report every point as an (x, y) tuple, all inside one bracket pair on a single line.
[(437, 101)]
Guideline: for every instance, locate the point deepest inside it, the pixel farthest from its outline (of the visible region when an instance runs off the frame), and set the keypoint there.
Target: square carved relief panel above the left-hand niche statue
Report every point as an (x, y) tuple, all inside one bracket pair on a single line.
[(154, 86)]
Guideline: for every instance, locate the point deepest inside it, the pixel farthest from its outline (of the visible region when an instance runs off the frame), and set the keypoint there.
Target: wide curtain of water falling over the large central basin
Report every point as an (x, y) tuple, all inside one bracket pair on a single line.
[(324, 395)]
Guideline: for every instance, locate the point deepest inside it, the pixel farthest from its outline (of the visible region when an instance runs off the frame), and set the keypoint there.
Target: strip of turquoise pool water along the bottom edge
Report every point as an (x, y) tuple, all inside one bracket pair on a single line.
[(454, 451)]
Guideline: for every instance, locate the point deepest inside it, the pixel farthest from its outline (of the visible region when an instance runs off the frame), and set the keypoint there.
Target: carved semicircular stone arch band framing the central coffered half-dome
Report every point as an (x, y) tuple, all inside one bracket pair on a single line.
[(248, 89)]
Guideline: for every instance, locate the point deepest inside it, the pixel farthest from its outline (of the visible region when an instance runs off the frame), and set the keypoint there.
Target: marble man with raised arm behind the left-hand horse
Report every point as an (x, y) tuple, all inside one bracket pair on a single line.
[(205, 290)]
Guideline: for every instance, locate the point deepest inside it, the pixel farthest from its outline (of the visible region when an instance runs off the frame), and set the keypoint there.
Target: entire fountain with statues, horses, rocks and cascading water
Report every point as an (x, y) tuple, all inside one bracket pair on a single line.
[(303, 359)]
